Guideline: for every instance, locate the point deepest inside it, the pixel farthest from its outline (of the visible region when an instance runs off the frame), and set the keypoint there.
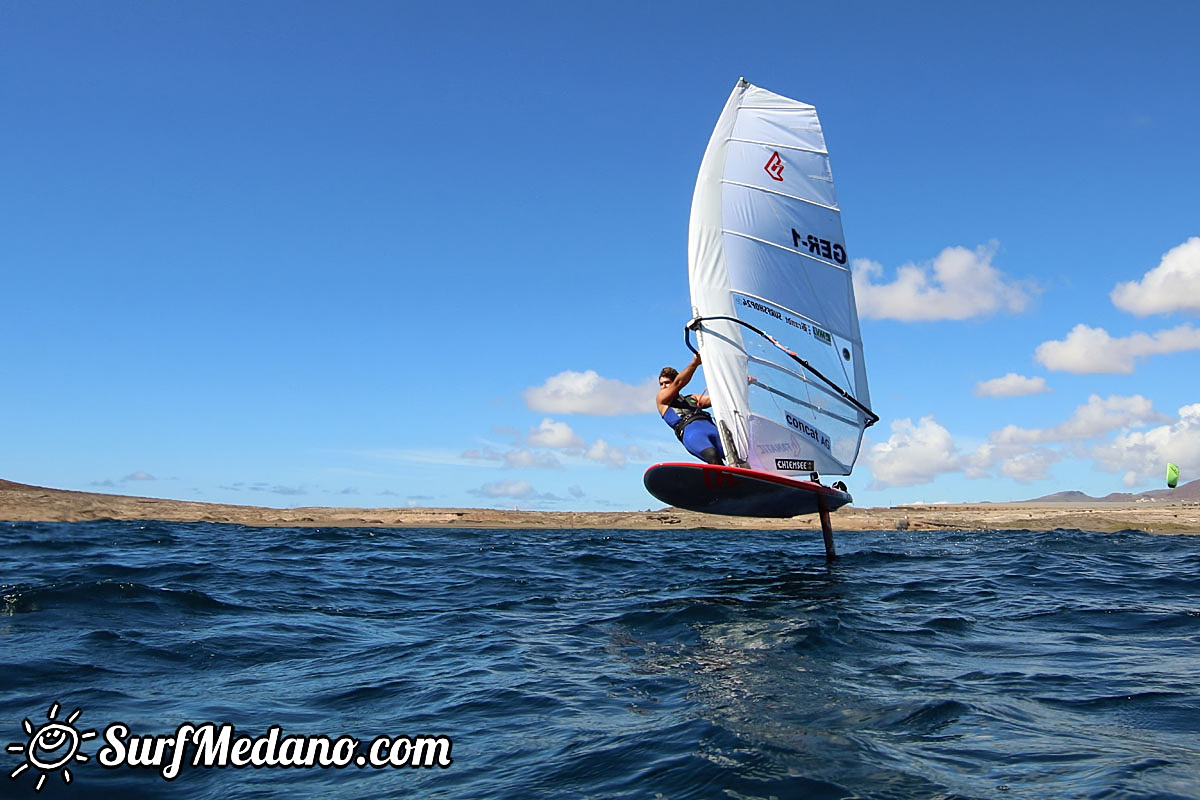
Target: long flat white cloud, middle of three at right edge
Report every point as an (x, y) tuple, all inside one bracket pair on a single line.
[(1091, 351)]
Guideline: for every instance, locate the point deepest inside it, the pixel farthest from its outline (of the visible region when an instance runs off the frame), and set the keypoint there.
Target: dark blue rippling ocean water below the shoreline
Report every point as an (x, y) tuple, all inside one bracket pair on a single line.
[(603, 664)]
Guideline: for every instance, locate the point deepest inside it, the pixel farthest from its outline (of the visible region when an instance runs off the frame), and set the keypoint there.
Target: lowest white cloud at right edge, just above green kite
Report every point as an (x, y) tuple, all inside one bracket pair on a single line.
[(1143, 455)]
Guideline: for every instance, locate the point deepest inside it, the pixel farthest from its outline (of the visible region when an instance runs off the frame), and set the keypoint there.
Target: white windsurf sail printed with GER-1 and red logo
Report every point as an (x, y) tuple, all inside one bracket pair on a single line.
[(766, 254)]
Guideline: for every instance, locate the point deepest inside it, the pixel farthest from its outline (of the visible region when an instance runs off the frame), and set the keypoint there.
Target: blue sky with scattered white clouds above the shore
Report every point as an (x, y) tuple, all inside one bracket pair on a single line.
[(434, 254)]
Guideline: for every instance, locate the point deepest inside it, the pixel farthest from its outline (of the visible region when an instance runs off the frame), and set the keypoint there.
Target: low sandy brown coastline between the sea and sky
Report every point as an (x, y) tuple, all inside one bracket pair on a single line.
[(22, 503)]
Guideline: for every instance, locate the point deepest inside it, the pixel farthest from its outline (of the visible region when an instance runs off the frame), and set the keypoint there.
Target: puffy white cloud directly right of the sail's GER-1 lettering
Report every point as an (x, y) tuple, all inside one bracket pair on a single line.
[(958, 285)]
